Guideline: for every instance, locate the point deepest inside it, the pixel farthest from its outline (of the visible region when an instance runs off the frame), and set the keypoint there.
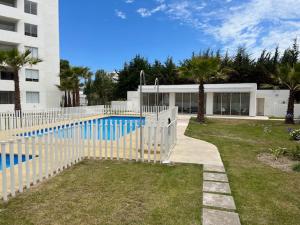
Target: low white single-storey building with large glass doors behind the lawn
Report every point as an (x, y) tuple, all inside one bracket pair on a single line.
[(220, 99)]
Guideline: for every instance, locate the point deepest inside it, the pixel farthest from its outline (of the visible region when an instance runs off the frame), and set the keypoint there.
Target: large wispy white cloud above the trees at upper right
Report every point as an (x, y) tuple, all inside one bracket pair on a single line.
[(259, 24)]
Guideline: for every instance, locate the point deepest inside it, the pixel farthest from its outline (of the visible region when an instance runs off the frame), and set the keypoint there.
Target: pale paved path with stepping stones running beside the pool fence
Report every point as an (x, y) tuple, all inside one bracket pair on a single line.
[(218, 204)]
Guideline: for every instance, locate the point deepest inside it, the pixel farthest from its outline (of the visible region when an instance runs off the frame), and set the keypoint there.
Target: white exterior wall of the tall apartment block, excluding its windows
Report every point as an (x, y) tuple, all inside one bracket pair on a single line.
[(47, 43)]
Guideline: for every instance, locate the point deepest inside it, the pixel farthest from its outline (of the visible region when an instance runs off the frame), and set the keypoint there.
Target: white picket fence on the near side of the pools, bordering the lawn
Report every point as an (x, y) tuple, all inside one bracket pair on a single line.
[(46, 152)]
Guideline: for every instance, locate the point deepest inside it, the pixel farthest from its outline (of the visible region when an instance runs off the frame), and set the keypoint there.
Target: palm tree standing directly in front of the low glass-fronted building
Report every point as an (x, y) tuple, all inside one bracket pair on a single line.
[(201, 68)]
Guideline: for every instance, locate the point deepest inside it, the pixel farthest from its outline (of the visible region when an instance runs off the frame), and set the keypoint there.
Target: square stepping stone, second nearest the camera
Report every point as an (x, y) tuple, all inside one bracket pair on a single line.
[(218, 201)]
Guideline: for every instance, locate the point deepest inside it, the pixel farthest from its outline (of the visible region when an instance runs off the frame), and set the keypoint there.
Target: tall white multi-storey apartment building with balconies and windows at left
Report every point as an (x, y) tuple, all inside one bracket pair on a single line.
[(34, 25)]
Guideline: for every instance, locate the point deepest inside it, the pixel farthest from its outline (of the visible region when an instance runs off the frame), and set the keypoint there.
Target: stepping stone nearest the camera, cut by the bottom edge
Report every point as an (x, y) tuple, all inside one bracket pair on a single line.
[(216, 217)]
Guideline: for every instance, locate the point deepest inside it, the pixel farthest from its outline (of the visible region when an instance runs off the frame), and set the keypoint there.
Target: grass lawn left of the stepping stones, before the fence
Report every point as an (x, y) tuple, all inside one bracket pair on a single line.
[(106, 192)]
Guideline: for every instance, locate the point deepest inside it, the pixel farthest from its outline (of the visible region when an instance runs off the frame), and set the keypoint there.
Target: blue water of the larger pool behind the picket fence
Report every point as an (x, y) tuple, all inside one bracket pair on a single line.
[(105, 132)]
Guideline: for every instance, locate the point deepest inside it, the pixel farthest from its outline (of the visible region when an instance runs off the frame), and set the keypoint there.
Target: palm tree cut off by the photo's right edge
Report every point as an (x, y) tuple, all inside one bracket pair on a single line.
[(289, 76)]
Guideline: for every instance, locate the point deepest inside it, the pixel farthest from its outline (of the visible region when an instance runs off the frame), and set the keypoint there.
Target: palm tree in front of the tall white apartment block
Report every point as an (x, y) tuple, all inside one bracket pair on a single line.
[(15, 60)]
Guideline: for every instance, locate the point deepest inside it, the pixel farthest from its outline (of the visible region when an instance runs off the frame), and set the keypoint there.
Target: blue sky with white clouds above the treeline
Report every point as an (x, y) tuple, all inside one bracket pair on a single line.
[(103, 34)]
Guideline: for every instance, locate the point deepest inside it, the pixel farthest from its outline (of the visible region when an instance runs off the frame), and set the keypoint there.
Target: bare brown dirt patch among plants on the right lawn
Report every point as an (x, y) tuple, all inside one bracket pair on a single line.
[(282, 163)]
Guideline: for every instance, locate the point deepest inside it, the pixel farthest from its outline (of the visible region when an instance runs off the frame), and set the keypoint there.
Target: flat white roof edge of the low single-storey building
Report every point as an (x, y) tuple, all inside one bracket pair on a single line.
[(241, 87)]
